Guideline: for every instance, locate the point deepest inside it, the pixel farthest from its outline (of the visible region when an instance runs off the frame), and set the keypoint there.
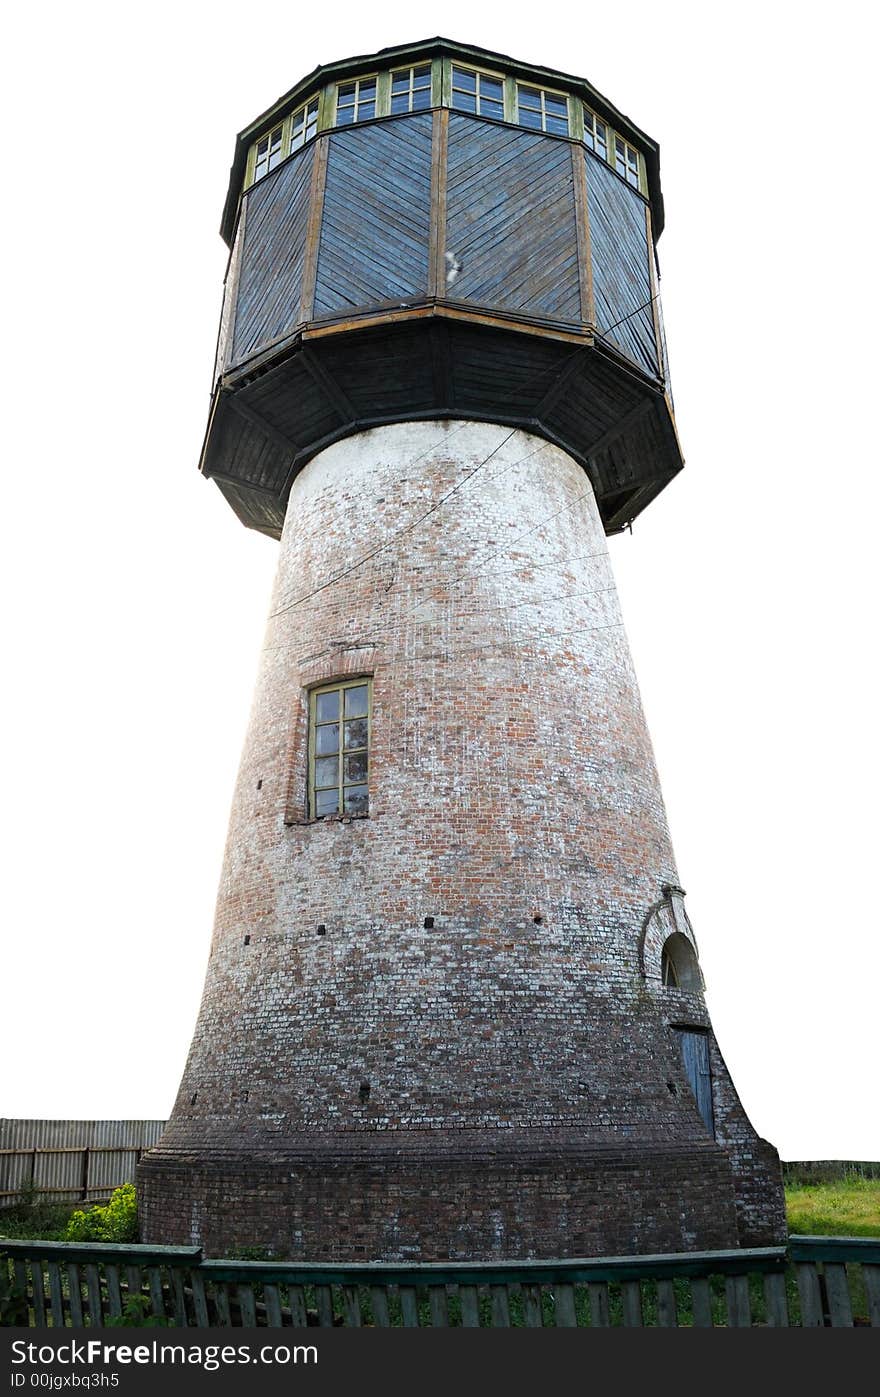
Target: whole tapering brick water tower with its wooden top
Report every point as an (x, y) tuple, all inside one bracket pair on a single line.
[(453, 1007)]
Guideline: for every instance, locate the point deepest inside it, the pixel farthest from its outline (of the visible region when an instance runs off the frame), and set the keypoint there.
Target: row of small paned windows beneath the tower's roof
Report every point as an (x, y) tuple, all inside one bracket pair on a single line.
[(463, 89)]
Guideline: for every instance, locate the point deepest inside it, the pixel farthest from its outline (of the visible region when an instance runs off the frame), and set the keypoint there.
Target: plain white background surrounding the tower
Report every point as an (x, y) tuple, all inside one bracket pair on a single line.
[(136, 603)]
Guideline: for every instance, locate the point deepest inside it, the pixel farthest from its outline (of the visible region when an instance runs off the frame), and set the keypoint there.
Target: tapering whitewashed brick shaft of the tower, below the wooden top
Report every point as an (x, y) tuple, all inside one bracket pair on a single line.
[(518, 1053)]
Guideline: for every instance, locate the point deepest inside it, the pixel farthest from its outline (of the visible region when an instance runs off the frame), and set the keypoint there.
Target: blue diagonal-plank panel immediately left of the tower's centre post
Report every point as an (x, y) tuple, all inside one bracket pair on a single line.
[(376, 224)]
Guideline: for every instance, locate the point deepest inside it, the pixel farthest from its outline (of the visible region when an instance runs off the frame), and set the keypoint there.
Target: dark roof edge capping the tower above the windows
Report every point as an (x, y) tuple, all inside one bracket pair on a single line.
[(424, 50)]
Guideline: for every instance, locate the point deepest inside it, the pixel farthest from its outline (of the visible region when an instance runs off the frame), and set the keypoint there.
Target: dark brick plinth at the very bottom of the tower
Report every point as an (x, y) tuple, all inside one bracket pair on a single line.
[(372, 1205)]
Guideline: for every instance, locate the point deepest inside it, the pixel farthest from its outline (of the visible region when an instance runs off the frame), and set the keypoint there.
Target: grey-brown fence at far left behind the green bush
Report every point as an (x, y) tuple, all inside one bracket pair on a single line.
[(69, 1160)]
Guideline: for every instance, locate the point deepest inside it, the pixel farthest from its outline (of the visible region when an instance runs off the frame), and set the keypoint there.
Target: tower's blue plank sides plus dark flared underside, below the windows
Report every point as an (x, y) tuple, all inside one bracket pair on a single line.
[(441, 266)]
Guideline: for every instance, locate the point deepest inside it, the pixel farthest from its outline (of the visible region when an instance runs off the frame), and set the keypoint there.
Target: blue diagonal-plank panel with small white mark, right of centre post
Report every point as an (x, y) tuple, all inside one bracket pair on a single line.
[(512, 220)]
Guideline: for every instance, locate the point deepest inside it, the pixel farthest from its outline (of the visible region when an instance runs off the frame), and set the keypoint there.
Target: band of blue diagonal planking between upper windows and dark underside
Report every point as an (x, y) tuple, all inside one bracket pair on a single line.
[(441, 206)]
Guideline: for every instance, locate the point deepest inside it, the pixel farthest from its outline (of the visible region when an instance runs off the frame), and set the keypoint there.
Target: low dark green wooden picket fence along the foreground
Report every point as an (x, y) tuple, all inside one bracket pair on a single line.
[(815, 1282)]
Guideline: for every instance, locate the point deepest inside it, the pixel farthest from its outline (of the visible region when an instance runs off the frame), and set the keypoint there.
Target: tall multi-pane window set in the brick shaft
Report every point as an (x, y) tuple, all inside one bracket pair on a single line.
[(340, 723)]
